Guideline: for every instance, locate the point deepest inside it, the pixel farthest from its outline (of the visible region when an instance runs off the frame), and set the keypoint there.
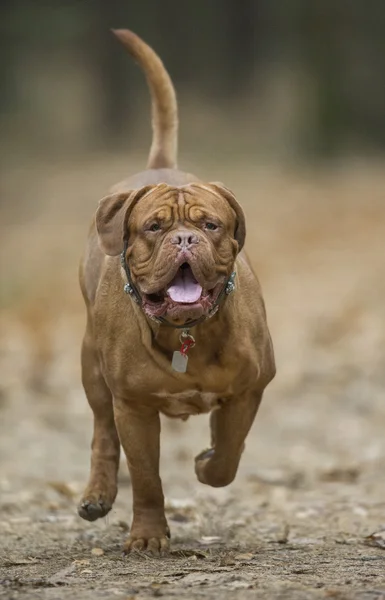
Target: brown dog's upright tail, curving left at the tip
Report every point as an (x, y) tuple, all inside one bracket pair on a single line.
[(163, 151)]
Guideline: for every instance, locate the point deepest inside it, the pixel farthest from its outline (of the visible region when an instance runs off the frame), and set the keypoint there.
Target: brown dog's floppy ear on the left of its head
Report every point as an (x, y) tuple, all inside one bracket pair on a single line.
[(111, 218)]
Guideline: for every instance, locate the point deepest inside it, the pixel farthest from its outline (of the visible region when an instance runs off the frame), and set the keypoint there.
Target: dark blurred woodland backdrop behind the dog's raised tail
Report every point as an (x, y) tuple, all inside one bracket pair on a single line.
[(295, 80)]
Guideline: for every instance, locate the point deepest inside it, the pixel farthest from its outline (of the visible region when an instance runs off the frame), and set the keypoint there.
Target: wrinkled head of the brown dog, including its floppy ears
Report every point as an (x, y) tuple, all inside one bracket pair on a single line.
[(182, 243)]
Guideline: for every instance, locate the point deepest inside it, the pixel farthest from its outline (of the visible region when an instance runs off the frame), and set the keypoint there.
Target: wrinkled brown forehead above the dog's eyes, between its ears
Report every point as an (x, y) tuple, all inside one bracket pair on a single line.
[(176, 203)]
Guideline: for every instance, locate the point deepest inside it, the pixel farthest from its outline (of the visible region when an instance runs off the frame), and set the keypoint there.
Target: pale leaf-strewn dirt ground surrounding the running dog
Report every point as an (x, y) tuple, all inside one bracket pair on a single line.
[(311, 487)]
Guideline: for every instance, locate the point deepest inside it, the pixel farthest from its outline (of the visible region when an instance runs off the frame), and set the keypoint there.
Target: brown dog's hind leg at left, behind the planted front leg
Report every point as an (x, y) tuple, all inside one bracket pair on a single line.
[(101, 490)]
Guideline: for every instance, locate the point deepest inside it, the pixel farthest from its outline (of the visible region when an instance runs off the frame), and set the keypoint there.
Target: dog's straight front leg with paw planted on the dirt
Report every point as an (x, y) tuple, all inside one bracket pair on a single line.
[(139, 433)]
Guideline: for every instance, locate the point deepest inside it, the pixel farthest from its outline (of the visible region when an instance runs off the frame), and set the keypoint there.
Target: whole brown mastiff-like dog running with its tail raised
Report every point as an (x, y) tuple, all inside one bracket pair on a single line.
[(173, 244)]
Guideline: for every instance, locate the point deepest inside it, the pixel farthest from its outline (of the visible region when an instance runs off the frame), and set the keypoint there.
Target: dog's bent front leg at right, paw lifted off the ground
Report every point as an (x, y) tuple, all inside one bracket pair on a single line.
[(229, 427)]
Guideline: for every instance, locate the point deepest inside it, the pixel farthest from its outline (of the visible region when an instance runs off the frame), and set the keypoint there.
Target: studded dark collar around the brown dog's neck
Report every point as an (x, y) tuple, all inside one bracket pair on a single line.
[(131, 289)]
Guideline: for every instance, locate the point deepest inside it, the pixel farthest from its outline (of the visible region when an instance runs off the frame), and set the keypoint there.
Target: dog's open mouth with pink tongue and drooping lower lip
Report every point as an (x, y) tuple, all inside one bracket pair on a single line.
[(182, 296)]
